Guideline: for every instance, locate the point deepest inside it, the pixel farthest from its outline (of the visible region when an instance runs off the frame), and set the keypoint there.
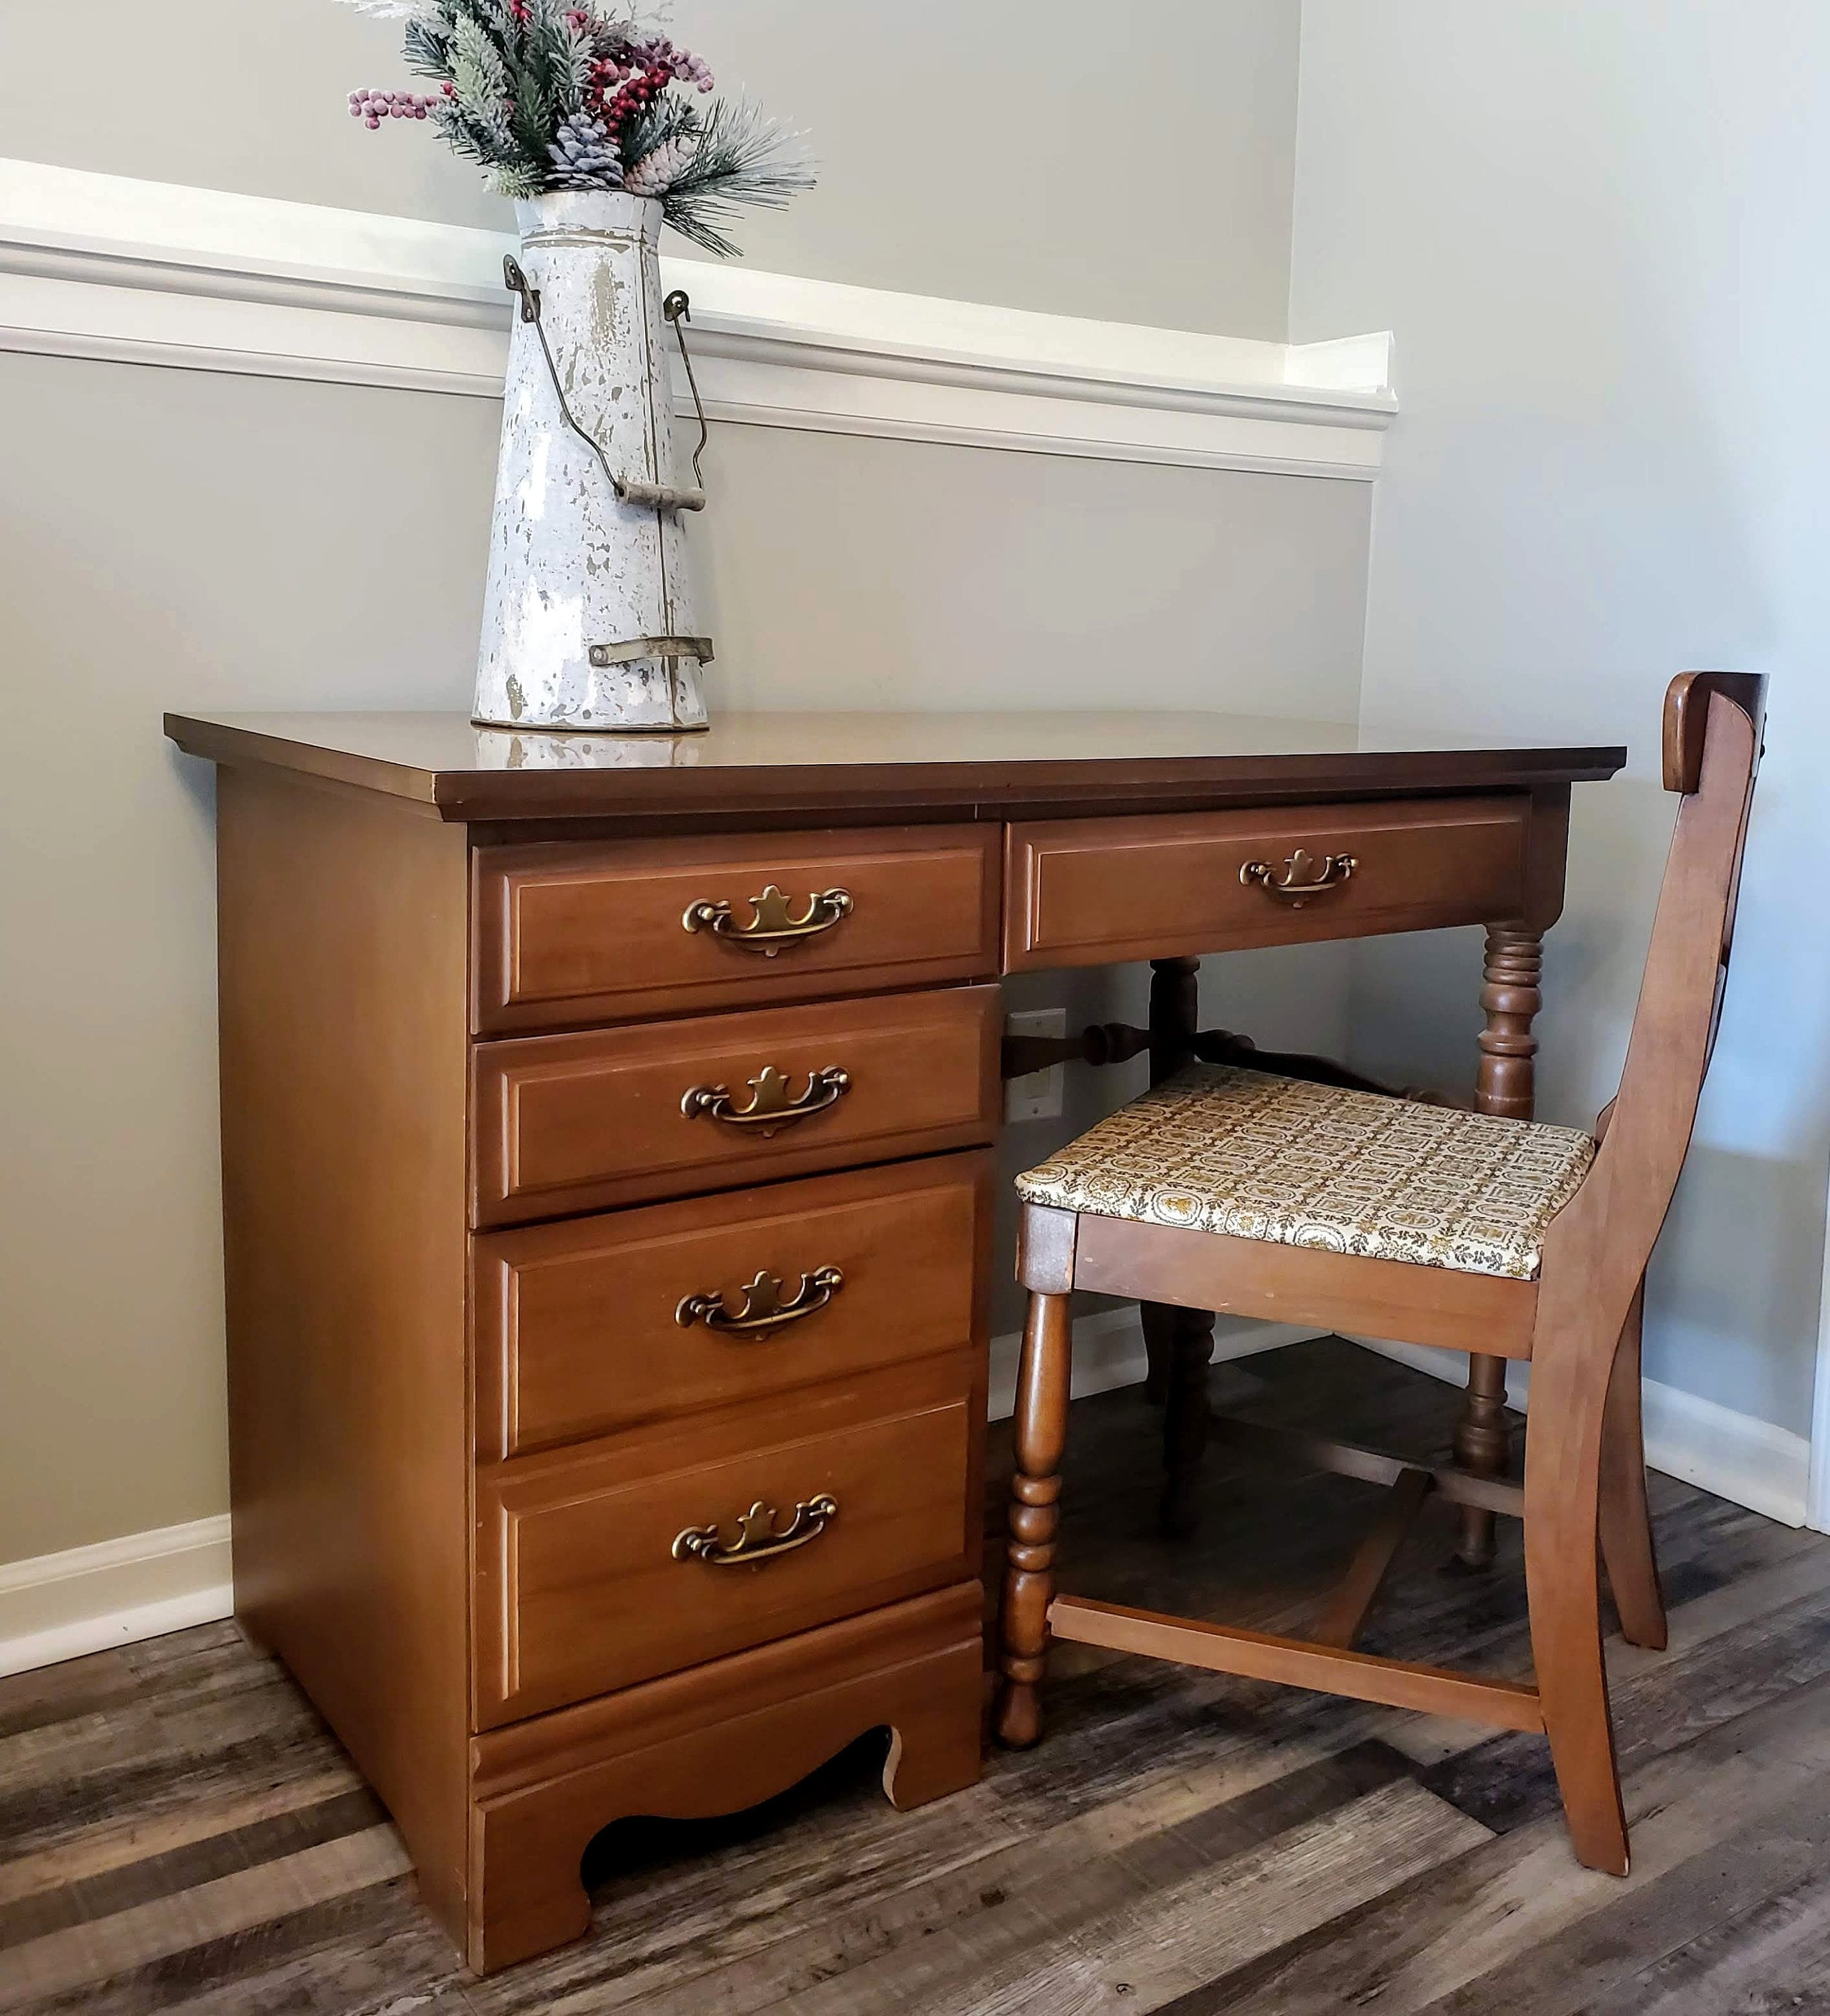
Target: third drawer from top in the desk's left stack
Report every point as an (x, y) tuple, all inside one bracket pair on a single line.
[(577, 1326)]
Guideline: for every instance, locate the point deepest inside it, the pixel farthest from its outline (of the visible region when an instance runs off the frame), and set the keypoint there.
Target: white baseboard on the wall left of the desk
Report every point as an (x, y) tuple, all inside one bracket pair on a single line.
[(94, 1598)]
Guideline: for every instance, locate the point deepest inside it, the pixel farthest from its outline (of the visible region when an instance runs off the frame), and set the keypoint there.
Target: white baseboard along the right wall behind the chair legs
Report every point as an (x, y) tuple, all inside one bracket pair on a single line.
[(1696, 1440)]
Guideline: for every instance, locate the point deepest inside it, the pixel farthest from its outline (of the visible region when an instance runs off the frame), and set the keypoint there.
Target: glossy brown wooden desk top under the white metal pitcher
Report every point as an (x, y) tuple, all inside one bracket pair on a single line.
[(978, 765)]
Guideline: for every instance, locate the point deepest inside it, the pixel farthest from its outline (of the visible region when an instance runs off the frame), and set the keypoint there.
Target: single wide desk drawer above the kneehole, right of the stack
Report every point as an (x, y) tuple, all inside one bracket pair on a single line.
[(1093, 892)]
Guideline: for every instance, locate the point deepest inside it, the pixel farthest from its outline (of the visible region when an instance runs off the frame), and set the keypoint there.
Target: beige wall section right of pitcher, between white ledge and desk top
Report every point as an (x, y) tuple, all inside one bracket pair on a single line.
[(862, 574)]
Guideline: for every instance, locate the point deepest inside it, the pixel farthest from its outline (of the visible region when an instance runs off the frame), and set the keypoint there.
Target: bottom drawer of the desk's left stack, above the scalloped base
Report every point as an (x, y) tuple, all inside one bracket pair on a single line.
[(585, 1582)]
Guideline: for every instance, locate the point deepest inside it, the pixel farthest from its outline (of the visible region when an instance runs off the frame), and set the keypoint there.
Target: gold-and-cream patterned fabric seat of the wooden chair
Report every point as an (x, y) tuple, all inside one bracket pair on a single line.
[(1265, 1158)]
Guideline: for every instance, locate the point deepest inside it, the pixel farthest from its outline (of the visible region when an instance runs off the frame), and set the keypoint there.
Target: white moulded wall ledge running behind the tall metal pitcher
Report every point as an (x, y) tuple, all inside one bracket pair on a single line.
[(150, 273)]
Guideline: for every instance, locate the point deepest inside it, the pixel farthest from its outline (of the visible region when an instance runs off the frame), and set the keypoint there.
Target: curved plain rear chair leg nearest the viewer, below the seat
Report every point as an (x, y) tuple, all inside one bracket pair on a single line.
[(1563, 1586)]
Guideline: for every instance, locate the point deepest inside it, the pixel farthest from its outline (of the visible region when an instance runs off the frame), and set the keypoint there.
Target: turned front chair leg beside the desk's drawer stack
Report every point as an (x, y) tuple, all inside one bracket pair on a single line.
[(1035, 1495)]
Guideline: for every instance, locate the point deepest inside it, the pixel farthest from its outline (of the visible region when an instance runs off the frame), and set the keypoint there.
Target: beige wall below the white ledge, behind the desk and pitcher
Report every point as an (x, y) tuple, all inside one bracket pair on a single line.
[(188, 539)]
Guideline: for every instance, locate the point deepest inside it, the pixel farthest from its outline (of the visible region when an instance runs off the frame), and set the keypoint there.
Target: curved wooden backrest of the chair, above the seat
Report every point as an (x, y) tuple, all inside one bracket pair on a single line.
[(1712, 755)]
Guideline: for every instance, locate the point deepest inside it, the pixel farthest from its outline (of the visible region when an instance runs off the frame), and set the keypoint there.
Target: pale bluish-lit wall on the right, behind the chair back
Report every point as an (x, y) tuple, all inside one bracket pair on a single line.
[(1599, 235)]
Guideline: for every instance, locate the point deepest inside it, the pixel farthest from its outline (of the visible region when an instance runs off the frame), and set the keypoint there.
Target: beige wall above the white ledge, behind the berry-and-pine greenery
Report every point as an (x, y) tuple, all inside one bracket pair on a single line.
[(1130, 164)]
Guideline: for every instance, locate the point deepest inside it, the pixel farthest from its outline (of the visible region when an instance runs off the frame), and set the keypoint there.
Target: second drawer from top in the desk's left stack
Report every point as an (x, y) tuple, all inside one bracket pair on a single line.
[(575, 1122)]
